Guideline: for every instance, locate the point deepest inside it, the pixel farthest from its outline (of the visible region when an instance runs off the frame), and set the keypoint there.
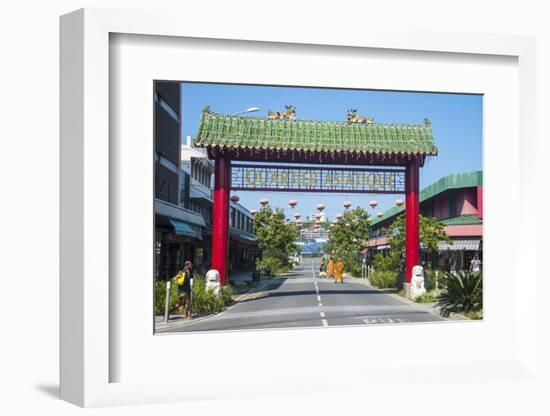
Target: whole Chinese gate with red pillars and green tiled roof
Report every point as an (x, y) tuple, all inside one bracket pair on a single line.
[(284, 155)]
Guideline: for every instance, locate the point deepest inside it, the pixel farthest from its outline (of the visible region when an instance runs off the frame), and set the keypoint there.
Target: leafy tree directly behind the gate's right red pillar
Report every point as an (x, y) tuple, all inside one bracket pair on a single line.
[(431, 233)]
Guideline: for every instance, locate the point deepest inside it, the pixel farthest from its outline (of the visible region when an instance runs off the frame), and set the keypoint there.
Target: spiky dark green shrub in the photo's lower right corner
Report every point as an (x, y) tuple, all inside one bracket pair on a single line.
[(463, 293)]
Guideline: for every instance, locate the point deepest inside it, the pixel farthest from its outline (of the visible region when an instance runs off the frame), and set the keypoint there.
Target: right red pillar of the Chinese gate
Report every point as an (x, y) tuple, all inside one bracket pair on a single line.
[(412, 226)]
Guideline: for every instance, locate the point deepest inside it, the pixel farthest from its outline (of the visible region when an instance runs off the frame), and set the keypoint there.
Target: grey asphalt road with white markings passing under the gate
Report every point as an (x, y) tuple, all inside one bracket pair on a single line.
[(302, 299)]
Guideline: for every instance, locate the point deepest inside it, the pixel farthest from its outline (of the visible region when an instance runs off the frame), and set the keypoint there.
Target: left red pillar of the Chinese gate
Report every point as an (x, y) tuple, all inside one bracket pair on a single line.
[(220, 220)]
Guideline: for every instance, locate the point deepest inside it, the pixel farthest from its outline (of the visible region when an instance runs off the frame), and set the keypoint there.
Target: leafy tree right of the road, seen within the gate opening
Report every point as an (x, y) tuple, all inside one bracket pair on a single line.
[(348, 236)]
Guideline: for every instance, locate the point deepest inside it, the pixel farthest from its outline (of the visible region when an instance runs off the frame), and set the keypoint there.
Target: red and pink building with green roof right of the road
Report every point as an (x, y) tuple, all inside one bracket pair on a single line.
[(457, 202)]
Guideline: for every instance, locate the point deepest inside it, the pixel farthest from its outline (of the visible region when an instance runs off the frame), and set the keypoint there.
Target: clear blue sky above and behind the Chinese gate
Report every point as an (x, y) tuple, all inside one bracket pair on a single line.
[(456, 124)]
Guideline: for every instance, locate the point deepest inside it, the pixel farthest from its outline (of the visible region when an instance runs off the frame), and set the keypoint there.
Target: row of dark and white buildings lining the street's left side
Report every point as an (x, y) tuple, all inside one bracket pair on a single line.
[(184, 198)]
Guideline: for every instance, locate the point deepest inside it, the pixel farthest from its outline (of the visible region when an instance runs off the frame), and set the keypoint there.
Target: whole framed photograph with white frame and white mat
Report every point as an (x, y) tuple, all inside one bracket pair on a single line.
[(311, 208)]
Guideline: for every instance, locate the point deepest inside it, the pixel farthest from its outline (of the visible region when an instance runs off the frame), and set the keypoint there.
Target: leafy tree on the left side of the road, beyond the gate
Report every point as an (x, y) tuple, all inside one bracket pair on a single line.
[(275, 237)]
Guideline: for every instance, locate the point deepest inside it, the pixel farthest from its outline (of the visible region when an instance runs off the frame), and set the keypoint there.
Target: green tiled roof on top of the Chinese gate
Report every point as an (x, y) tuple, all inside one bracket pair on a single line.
[(222, 130)]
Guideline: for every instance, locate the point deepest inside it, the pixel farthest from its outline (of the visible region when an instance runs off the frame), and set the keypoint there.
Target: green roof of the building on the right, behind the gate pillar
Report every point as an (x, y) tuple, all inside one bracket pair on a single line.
[(454, 181)]
